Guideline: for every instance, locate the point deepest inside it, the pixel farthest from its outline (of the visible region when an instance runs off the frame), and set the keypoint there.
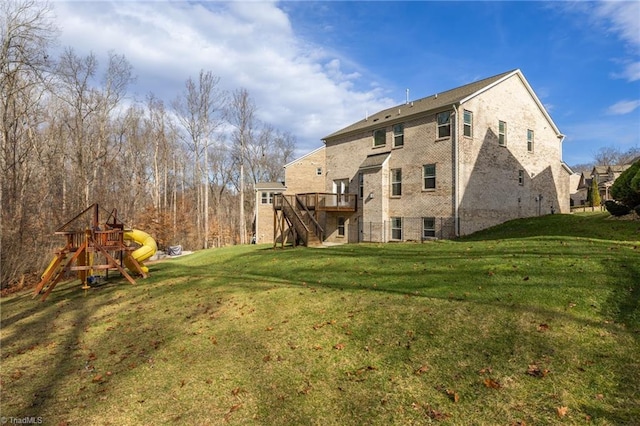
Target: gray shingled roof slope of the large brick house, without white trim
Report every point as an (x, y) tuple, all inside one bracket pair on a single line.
[(430, 103)]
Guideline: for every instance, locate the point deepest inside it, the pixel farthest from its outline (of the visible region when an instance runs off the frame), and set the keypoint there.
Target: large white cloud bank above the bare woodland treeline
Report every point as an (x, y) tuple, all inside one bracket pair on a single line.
[(297, 86)]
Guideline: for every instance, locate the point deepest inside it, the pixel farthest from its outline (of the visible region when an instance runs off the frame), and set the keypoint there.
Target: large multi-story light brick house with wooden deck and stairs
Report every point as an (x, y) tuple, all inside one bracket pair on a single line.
[(442, 166)]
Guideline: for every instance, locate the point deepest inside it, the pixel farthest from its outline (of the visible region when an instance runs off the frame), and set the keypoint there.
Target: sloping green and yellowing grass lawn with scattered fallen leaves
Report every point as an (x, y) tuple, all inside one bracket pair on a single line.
[(536, 321)]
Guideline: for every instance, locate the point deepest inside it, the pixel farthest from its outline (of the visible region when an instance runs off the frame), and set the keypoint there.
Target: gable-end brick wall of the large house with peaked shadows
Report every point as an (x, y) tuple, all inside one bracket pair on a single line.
[(489, 173)]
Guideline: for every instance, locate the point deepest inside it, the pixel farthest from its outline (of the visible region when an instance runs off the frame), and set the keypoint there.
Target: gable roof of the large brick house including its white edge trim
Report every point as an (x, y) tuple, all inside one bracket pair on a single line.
[(438, 101)]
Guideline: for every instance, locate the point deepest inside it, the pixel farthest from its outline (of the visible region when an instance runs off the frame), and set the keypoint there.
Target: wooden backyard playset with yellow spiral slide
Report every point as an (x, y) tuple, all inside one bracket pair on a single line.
[(93, 248)]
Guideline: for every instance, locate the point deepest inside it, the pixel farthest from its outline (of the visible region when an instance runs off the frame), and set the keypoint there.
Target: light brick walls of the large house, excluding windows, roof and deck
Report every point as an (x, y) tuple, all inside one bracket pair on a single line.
[(495, 183)]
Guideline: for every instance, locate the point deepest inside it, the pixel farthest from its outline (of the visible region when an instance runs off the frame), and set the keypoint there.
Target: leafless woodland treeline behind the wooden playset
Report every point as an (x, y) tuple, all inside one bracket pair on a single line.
[(72, 136)]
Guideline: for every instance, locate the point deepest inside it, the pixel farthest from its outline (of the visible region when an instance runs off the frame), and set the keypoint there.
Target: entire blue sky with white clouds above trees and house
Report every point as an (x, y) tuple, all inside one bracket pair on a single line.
[(315, 67)]
